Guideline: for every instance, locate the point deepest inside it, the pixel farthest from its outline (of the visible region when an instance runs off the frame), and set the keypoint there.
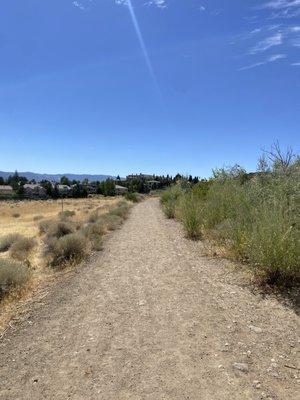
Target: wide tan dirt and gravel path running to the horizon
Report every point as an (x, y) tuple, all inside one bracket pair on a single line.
[(151, 318)]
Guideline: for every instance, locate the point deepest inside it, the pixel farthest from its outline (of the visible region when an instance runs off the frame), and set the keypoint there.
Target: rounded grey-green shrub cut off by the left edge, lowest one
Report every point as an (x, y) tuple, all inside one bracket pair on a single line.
[(12, 275)]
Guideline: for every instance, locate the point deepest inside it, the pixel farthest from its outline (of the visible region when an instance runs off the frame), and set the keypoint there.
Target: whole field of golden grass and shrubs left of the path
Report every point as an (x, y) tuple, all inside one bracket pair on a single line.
[(48, 236)]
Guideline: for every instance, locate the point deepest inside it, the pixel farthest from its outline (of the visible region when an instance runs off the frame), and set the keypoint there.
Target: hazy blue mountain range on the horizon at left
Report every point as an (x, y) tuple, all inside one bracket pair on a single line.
[(56, 177)]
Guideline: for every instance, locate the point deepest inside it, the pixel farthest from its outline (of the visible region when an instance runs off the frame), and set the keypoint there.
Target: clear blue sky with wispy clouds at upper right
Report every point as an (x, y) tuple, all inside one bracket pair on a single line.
[(161, 86)]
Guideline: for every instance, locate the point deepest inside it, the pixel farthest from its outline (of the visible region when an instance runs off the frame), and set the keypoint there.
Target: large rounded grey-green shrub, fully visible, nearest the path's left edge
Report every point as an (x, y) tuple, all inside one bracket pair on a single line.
[(69, 248)]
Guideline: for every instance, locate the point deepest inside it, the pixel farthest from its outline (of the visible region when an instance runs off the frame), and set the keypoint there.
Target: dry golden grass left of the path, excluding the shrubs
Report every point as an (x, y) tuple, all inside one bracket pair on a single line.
[(32, 212)]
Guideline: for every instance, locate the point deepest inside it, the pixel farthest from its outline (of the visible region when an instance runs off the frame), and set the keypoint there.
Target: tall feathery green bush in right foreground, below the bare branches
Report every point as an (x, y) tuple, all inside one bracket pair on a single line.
[(258, 221)]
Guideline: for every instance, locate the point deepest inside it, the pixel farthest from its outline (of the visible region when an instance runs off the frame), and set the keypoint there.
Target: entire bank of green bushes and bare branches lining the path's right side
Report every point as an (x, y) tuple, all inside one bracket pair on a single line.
[(254, 217)]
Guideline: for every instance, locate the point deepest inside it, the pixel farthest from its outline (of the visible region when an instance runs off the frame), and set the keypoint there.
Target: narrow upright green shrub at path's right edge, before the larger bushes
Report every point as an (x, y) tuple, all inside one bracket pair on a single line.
[(190, 215)]
